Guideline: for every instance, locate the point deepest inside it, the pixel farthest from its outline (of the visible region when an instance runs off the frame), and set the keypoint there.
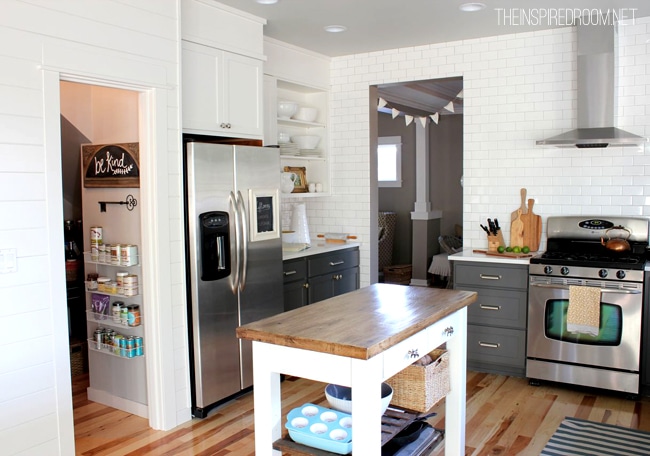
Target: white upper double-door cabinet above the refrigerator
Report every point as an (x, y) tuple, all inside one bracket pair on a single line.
[(222, 70)]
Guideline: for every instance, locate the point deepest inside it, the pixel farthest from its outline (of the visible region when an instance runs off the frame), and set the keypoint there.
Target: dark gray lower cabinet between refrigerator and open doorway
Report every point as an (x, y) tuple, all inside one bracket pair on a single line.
[(317, 277)]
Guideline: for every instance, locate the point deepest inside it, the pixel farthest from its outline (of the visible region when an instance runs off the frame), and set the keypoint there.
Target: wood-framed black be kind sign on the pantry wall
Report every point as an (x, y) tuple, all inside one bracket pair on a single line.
[(111, 165)]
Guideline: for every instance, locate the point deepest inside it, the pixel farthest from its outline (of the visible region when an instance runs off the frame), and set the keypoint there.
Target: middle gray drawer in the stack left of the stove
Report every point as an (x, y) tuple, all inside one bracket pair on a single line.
[(494, 307)]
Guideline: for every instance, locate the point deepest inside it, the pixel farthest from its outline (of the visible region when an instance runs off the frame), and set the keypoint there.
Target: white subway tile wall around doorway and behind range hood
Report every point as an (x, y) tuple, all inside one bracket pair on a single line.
[(518, 88)]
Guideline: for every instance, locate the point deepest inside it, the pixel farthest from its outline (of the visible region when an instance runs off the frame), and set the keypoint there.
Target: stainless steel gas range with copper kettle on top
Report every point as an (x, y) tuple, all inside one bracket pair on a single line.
[(609, 356)]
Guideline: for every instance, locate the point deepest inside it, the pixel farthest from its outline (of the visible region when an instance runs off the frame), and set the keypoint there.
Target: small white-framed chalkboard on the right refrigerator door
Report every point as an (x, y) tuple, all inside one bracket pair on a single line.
[(265, 212)]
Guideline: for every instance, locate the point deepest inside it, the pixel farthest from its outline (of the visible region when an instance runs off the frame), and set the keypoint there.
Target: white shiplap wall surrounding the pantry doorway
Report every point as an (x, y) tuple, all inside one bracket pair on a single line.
[(132, 42)]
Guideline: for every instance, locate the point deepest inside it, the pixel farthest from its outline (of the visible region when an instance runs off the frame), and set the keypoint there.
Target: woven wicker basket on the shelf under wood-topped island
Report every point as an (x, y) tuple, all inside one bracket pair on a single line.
[(420, 387)]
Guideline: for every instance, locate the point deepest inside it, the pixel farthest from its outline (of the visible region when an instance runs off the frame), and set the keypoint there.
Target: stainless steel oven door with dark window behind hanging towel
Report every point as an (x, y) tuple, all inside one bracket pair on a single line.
[(617, 345)]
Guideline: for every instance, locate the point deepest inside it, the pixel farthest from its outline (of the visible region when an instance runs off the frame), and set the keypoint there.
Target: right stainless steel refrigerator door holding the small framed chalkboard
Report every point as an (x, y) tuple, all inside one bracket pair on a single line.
[(261, 296)]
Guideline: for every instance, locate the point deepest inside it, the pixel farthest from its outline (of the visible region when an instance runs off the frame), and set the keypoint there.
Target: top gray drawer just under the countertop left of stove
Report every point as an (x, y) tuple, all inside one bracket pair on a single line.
[(490, 275)]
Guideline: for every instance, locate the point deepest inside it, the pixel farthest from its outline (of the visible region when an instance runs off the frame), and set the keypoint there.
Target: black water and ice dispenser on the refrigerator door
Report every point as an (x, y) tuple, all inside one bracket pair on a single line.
[(215, 245)]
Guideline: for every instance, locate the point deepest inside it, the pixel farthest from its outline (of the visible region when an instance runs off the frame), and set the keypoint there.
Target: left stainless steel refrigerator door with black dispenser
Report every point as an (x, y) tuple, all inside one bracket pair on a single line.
[(214, 303)]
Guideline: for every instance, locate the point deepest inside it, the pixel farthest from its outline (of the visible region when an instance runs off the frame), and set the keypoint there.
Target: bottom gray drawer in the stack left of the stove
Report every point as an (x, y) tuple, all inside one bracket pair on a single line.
[(496, 346)]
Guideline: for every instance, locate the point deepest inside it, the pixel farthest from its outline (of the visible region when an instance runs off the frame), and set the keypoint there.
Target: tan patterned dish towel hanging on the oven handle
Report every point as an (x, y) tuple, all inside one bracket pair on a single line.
[(583, 314)]
